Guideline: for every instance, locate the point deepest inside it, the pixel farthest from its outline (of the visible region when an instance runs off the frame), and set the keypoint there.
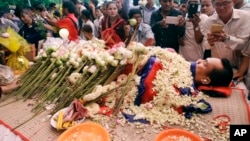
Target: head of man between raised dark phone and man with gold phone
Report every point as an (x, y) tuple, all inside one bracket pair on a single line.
[(207, 7)]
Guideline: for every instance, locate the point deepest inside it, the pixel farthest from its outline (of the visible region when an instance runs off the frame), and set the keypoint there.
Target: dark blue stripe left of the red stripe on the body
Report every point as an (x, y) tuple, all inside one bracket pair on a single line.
[(144, 73)]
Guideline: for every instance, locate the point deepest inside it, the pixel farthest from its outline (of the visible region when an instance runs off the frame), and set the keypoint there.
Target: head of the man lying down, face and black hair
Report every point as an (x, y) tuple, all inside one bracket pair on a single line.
[(213, 72)]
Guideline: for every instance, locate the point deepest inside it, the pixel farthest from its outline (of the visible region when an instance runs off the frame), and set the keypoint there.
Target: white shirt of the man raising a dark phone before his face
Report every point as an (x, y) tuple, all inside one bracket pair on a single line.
[(192, 51)]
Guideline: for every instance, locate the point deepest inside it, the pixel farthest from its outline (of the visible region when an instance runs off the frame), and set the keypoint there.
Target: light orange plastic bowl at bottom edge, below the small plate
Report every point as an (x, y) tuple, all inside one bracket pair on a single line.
[(88, 131)]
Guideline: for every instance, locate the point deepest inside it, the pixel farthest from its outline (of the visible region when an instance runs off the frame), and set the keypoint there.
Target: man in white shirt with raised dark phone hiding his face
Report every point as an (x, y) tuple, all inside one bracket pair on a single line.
[(191, 43)]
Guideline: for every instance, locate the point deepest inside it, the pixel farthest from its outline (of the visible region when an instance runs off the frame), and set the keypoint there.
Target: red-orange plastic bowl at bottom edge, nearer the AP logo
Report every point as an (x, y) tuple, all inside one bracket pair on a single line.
[(177, 135)]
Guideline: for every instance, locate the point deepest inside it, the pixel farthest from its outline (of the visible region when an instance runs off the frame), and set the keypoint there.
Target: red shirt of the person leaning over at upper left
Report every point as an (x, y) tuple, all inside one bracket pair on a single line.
[(68, 24)]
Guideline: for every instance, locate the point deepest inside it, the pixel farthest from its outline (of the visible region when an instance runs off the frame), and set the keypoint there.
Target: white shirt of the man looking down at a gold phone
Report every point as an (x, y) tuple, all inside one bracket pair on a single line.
[(238, 29)]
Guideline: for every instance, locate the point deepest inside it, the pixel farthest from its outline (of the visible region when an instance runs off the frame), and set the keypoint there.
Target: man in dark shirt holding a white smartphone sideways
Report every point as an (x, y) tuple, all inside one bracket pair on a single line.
[(166, 34)]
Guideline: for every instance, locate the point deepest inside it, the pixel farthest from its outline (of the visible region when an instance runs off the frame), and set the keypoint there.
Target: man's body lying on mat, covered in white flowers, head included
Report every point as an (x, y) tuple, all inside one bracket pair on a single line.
[(133, 83)]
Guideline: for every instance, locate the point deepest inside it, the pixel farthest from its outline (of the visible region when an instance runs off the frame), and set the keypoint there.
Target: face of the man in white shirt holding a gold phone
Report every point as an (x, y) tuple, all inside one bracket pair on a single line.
[(223, 7)]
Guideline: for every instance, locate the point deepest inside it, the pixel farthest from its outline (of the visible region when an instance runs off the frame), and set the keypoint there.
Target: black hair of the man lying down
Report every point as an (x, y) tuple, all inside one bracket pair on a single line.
[(222, 77)]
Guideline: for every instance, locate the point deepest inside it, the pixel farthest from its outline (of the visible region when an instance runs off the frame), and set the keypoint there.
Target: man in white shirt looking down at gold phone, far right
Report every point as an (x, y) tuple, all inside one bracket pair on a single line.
[(229, 42)]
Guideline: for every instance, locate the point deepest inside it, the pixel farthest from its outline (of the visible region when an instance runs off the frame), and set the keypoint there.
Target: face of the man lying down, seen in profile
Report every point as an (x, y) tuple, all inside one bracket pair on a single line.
[(204, 67)]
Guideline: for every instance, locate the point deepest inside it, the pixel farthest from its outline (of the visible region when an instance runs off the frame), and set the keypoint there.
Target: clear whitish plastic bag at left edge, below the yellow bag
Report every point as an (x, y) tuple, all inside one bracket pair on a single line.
[(6, 75)]
